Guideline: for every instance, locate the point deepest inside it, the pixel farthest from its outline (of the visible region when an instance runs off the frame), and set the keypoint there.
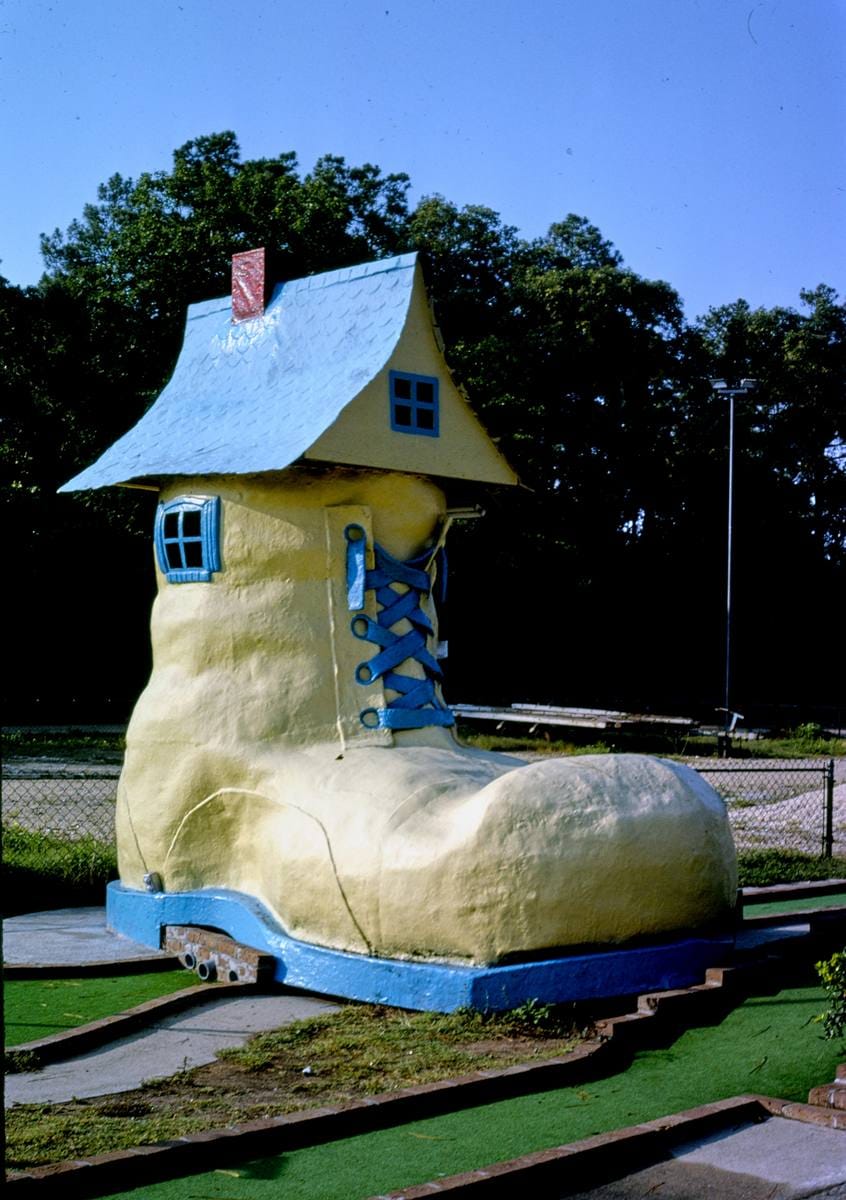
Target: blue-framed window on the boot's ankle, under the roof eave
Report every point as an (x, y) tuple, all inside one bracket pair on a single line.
[(188, 539)]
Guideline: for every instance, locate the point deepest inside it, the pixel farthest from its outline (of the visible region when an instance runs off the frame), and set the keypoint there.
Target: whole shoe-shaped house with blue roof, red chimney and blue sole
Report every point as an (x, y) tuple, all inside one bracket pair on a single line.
[(292, 776)]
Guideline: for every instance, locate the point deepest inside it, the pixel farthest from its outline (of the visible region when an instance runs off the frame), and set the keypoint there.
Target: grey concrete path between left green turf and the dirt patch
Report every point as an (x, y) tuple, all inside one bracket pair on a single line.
[(176, 1043)]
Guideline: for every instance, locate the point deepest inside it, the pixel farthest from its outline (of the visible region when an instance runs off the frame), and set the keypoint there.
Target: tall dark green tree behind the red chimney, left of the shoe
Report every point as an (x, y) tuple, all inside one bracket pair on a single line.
[(85, 355)]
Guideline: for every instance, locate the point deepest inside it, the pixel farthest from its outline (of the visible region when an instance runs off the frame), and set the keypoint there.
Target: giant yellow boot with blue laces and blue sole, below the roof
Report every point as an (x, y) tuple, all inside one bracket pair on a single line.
[(293, 760)]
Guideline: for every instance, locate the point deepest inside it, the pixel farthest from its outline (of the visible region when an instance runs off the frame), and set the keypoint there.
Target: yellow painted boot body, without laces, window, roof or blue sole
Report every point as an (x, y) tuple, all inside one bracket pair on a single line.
[(249, 769)]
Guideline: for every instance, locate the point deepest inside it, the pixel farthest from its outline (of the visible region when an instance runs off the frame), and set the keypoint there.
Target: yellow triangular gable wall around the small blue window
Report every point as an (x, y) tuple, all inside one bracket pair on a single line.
[(363, 434)]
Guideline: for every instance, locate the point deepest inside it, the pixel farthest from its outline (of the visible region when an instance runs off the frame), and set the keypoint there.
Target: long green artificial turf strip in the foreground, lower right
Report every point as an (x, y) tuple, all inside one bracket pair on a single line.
[(770, 1045)]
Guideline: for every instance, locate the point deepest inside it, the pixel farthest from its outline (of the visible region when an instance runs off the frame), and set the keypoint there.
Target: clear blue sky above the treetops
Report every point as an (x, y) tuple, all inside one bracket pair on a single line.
[(706, 139)]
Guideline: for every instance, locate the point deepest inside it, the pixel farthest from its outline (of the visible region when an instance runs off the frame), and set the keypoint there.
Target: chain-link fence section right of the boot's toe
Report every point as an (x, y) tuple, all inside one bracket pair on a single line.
[(782, 806)]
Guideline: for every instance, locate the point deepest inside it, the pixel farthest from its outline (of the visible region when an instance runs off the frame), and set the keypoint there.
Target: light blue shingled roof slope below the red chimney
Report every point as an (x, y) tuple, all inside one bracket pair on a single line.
[(255, 397)]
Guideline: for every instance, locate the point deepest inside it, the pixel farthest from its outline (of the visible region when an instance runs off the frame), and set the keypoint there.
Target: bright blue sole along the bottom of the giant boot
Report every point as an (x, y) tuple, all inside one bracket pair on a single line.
[(435, 987)]
